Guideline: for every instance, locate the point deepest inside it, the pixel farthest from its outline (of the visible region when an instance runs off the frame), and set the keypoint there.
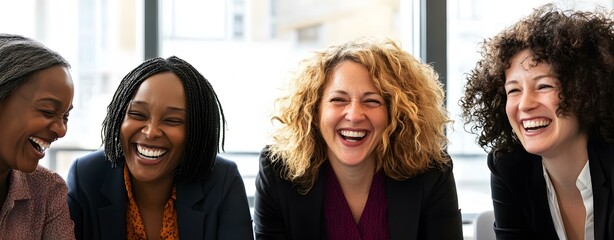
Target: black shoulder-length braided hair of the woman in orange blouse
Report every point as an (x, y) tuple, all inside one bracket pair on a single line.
[(205, 117)]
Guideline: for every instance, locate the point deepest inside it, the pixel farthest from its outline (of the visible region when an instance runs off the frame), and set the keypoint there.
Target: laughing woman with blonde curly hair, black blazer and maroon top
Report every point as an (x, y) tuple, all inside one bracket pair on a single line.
[(359, 152)]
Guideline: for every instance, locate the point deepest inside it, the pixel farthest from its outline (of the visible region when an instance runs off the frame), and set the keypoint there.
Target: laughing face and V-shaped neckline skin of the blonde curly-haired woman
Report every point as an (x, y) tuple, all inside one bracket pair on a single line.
[(353, 116)]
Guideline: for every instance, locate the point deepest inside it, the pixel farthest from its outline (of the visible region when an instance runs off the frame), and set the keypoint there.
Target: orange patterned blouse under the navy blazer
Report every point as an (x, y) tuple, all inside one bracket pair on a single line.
[(135, 229)]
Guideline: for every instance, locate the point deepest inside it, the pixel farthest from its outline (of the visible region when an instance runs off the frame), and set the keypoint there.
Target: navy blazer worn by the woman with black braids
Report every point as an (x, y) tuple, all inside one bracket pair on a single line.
[(216, 209)]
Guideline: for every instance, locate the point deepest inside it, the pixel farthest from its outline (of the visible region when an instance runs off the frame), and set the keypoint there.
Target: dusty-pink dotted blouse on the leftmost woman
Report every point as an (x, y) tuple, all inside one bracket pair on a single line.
[(36, 207)]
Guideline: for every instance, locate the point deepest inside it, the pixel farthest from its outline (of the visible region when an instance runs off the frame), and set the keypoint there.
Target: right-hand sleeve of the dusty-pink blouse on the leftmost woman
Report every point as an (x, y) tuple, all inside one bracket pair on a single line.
[(58, 224)]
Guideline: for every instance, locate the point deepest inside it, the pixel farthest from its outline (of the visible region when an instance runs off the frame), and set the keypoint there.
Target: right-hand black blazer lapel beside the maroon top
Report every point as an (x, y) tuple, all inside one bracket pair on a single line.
[(403, 208)]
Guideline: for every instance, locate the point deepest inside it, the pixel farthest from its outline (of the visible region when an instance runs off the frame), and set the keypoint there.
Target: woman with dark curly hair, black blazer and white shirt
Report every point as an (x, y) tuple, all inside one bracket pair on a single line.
[(540, 100)]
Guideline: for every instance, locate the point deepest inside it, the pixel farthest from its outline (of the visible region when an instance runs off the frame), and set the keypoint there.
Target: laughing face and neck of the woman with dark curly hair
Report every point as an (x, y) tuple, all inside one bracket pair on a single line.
[(532, 101)]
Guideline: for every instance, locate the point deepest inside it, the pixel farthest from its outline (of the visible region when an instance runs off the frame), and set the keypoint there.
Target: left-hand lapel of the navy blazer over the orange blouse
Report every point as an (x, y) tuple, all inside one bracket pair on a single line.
[(113, 216)]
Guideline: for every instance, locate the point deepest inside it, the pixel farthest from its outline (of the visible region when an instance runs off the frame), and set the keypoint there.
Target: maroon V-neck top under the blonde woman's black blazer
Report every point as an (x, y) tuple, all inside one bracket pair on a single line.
[(373, 223)]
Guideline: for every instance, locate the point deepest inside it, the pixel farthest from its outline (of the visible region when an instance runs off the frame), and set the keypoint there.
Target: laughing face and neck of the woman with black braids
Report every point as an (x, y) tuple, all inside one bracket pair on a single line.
[(153, 137)]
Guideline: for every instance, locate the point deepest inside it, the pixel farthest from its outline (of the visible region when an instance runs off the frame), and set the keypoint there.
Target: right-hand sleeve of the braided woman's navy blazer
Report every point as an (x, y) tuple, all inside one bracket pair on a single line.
[(235, 221)]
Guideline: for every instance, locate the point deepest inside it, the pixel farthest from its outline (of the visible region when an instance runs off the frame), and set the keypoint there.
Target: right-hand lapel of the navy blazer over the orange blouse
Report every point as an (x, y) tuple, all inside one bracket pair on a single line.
[(190, 219)]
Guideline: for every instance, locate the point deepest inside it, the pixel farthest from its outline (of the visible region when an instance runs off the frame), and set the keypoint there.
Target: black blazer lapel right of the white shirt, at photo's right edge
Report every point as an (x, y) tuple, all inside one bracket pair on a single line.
[(599, 157)]
